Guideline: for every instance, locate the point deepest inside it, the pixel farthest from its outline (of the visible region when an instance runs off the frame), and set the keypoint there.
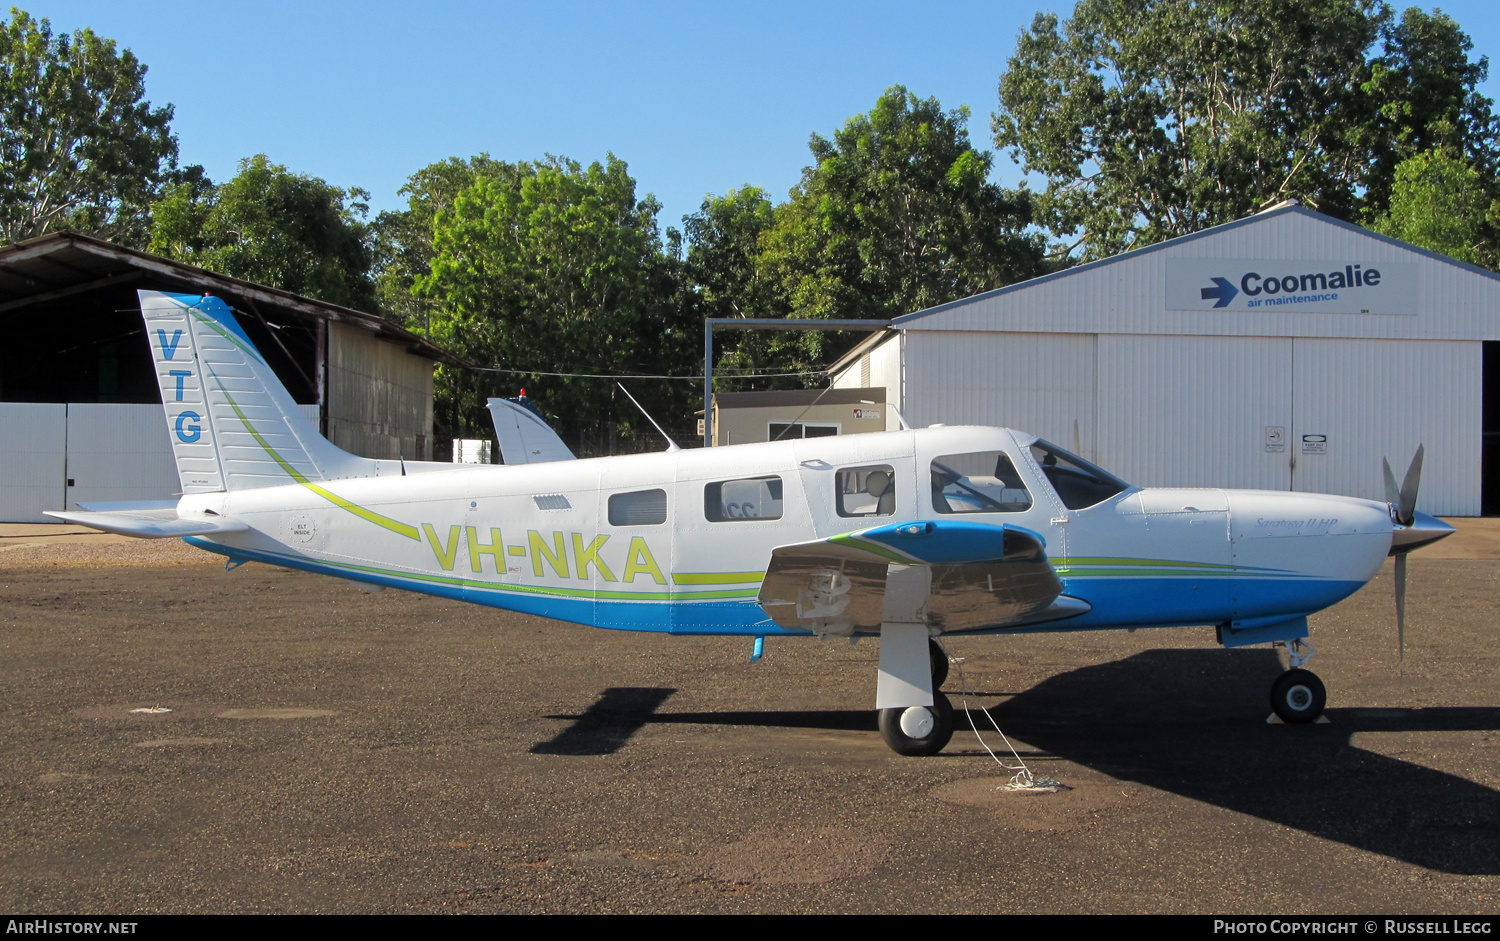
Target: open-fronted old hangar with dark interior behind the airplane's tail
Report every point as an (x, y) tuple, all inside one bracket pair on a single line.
[(80, 407)]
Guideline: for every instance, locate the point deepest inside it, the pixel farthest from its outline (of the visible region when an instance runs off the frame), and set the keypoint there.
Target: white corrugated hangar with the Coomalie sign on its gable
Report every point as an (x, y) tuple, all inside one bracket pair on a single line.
[(1282, 352)]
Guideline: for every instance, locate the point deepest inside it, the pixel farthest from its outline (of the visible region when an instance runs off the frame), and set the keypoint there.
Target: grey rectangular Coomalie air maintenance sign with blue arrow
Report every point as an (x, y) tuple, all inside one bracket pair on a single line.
[(1333, 286)]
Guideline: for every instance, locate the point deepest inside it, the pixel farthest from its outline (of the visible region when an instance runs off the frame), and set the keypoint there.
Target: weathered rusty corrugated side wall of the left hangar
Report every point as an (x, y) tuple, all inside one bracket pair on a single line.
[(380, 397)]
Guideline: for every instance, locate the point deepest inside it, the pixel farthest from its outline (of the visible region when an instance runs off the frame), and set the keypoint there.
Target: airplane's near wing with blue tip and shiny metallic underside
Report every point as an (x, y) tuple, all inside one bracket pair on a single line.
[(979, 577)]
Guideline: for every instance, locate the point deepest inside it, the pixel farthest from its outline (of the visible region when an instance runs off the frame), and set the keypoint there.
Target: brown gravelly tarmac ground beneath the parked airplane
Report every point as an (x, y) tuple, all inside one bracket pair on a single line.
[(178, 739)]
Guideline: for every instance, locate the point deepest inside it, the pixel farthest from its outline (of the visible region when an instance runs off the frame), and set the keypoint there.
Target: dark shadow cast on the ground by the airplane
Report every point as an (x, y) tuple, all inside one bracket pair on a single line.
[(1192, 723)]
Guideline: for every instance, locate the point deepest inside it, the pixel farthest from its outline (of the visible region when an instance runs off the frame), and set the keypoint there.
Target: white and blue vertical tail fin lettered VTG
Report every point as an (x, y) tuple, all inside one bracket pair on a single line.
[(232, 422)]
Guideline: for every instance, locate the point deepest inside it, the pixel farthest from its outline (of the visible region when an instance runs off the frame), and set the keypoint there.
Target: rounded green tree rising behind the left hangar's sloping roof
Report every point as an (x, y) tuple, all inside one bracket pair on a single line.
[(274, 227)]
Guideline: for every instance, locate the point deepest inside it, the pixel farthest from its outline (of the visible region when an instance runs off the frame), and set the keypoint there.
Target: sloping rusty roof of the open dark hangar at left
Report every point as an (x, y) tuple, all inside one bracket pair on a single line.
[(61, 265)]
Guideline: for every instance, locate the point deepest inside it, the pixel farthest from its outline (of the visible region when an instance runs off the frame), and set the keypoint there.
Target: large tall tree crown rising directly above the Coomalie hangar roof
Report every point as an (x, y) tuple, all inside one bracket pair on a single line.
[(1162, 118)]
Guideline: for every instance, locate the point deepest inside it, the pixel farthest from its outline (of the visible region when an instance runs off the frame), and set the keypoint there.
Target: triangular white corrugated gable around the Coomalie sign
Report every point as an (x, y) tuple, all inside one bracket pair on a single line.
[(1157, 289)]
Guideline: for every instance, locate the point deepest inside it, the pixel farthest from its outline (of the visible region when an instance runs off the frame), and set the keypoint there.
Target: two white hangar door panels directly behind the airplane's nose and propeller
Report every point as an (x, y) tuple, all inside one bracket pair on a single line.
[(1292, 413)]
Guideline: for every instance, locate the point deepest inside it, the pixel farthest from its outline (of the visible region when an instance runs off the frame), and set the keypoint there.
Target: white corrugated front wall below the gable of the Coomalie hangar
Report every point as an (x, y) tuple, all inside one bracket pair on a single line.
[(1198, 410)]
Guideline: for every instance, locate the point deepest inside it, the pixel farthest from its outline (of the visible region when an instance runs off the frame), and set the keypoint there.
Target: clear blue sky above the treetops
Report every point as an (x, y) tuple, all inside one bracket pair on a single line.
[(698, 98)]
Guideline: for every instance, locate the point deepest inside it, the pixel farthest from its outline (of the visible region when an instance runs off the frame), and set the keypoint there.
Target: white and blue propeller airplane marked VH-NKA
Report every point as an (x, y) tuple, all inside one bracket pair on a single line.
[(905, 535)]
